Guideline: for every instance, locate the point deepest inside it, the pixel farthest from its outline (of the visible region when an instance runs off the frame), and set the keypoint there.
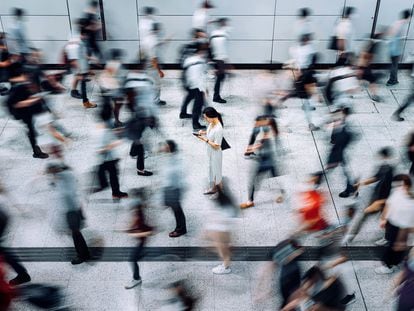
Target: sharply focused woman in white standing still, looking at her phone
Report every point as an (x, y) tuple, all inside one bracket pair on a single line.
[(213, 137)]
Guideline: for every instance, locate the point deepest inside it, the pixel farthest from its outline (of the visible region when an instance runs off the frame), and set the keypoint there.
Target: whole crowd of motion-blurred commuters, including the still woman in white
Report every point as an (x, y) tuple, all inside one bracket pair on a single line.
[(27, 89)]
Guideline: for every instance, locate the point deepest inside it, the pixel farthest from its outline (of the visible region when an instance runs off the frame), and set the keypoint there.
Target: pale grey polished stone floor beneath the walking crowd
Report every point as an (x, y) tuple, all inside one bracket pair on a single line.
[(99, 286)]
